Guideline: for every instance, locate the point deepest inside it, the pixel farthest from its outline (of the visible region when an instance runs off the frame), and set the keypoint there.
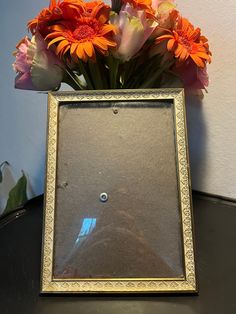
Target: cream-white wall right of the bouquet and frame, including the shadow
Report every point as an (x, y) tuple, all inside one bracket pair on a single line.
[(212, 124)]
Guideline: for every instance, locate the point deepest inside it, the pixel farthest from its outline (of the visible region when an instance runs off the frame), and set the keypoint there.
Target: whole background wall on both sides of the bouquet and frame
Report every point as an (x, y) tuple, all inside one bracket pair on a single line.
[(212, 123)]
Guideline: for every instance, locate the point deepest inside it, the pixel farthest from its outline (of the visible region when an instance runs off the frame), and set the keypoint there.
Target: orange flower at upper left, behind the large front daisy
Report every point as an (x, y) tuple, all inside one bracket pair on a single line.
[(56, 12)]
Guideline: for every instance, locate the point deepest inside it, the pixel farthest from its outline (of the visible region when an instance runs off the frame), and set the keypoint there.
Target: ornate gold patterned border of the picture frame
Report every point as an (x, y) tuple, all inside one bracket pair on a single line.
[(148, 285)]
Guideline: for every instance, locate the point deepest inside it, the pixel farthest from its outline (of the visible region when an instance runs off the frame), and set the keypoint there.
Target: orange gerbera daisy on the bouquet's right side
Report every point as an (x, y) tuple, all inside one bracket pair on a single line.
[(185, 41)]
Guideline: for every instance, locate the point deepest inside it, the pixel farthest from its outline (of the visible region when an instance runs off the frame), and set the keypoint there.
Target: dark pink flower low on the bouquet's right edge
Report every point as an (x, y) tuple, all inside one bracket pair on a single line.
[(192, 76)]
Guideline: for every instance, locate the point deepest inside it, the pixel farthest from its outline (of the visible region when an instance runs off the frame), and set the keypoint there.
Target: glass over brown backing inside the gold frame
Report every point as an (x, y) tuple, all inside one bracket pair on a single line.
[(117, 206)]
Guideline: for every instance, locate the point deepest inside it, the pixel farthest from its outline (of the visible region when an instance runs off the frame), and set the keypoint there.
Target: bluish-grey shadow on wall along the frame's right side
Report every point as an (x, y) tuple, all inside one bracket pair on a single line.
[(197, 135)]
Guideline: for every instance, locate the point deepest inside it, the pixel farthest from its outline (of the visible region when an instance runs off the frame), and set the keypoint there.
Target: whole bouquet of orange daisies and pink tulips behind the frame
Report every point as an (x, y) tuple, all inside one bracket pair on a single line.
[(132, 44)]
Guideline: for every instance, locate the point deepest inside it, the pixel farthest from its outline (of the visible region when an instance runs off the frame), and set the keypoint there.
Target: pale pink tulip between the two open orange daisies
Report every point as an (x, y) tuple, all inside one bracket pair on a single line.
[(134, 31)]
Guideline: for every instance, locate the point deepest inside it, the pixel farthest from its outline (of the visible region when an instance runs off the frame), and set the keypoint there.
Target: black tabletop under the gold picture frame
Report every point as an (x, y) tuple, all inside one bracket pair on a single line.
[(215, 230)]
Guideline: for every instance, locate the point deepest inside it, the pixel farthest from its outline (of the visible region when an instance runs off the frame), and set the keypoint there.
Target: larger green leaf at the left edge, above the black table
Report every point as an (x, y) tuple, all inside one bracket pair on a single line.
[(17, 195)]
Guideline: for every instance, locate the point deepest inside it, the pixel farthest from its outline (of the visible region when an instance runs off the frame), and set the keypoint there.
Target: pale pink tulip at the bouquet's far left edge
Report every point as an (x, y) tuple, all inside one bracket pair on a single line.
[(37, 67)]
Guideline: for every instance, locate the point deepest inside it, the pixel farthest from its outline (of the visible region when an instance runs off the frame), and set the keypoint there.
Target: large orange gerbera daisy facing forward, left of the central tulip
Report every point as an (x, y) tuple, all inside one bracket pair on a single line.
[(82, 37)]
